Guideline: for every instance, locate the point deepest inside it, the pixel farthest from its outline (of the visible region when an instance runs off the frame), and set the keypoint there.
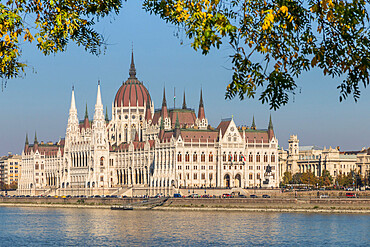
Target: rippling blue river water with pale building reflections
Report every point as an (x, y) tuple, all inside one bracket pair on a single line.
[(98, 227)]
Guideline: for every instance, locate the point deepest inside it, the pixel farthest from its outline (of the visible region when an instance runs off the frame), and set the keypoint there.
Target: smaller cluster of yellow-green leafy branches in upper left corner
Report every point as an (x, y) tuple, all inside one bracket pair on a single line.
[(51, 24)]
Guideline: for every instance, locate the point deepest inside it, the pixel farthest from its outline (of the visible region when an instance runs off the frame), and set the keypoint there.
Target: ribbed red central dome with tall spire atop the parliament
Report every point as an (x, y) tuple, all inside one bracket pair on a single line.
[(132, 92)]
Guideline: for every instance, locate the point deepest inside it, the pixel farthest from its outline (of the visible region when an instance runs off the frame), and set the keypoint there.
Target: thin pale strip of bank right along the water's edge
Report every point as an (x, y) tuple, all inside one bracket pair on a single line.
[(205, 209)]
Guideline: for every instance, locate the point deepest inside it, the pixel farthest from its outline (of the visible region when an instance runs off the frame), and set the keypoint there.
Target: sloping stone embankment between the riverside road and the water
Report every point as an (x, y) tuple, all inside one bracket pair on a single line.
[(327, 205)]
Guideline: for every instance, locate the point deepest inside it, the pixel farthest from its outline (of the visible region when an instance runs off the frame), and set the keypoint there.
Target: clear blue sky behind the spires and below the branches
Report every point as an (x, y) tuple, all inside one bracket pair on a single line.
[(40, 100)]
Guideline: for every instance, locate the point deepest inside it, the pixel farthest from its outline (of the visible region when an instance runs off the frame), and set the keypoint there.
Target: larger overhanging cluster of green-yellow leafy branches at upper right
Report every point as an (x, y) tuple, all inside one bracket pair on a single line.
[(274, 41)]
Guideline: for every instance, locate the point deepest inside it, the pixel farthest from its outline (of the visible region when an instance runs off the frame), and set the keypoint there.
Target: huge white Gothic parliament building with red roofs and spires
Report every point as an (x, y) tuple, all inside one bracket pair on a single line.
[(143, 151)]
